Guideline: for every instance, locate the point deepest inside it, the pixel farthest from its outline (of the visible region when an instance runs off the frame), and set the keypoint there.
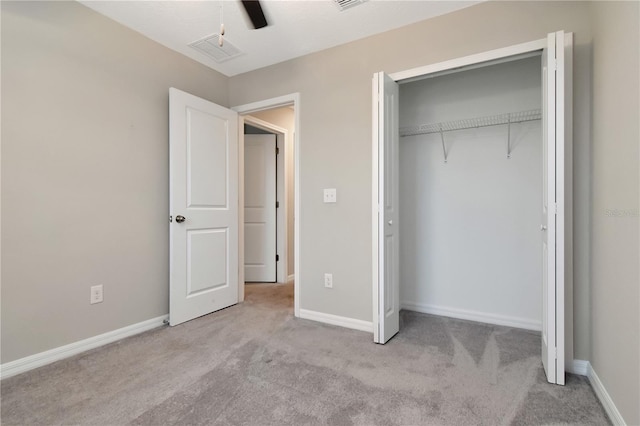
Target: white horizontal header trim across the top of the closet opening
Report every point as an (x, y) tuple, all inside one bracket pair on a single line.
[(478, 58)]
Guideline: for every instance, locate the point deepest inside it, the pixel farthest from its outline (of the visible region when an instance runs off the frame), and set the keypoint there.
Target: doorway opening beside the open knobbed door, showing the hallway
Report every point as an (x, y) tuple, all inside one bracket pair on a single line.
[(268, 196)]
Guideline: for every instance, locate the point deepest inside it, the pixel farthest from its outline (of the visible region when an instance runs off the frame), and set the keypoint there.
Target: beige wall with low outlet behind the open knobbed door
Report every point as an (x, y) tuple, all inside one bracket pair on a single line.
[(84, 172)]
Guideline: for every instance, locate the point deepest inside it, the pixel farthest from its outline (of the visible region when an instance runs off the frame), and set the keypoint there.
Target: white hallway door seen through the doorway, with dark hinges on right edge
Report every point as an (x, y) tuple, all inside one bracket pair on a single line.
[(260, 208)]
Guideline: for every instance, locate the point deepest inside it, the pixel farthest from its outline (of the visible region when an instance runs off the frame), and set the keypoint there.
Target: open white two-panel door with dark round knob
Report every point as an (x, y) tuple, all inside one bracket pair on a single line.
[(203, 139)]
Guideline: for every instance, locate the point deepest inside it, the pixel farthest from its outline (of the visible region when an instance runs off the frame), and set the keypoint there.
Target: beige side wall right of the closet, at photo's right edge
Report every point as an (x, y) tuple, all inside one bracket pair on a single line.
[(615, 353)]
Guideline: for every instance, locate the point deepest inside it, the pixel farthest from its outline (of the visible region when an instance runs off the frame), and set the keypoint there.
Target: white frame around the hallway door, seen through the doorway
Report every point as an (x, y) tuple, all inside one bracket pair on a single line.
[(282, 214)]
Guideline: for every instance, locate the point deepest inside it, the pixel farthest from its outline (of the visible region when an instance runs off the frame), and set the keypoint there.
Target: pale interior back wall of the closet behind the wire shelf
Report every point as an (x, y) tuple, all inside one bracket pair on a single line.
[(470, 243)]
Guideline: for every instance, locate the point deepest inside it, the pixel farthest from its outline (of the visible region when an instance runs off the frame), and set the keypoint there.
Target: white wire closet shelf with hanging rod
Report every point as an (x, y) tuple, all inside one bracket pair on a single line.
[(472, 123)]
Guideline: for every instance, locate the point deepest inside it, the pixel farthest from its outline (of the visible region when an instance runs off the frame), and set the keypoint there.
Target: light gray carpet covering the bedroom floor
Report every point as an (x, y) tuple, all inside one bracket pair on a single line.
[(254, 364)]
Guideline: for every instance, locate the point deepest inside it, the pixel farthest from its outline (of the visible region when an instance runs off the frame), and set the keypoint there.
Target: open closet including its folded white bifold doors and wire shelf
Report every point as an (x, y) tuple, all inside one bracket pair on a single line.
[(471, 193)]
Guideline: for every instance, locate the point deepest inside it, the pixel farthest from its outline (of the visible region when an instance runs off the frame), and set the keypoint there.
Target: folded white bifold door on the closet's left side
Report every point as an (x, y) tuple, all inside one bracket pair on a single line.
[(387, 135)]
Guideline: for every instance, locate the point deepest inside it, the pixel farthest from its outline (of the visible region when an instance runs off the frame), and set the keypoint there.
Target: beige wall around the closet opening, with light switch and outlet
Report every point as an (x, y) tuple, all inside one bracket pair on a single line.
[(335, 137)]
